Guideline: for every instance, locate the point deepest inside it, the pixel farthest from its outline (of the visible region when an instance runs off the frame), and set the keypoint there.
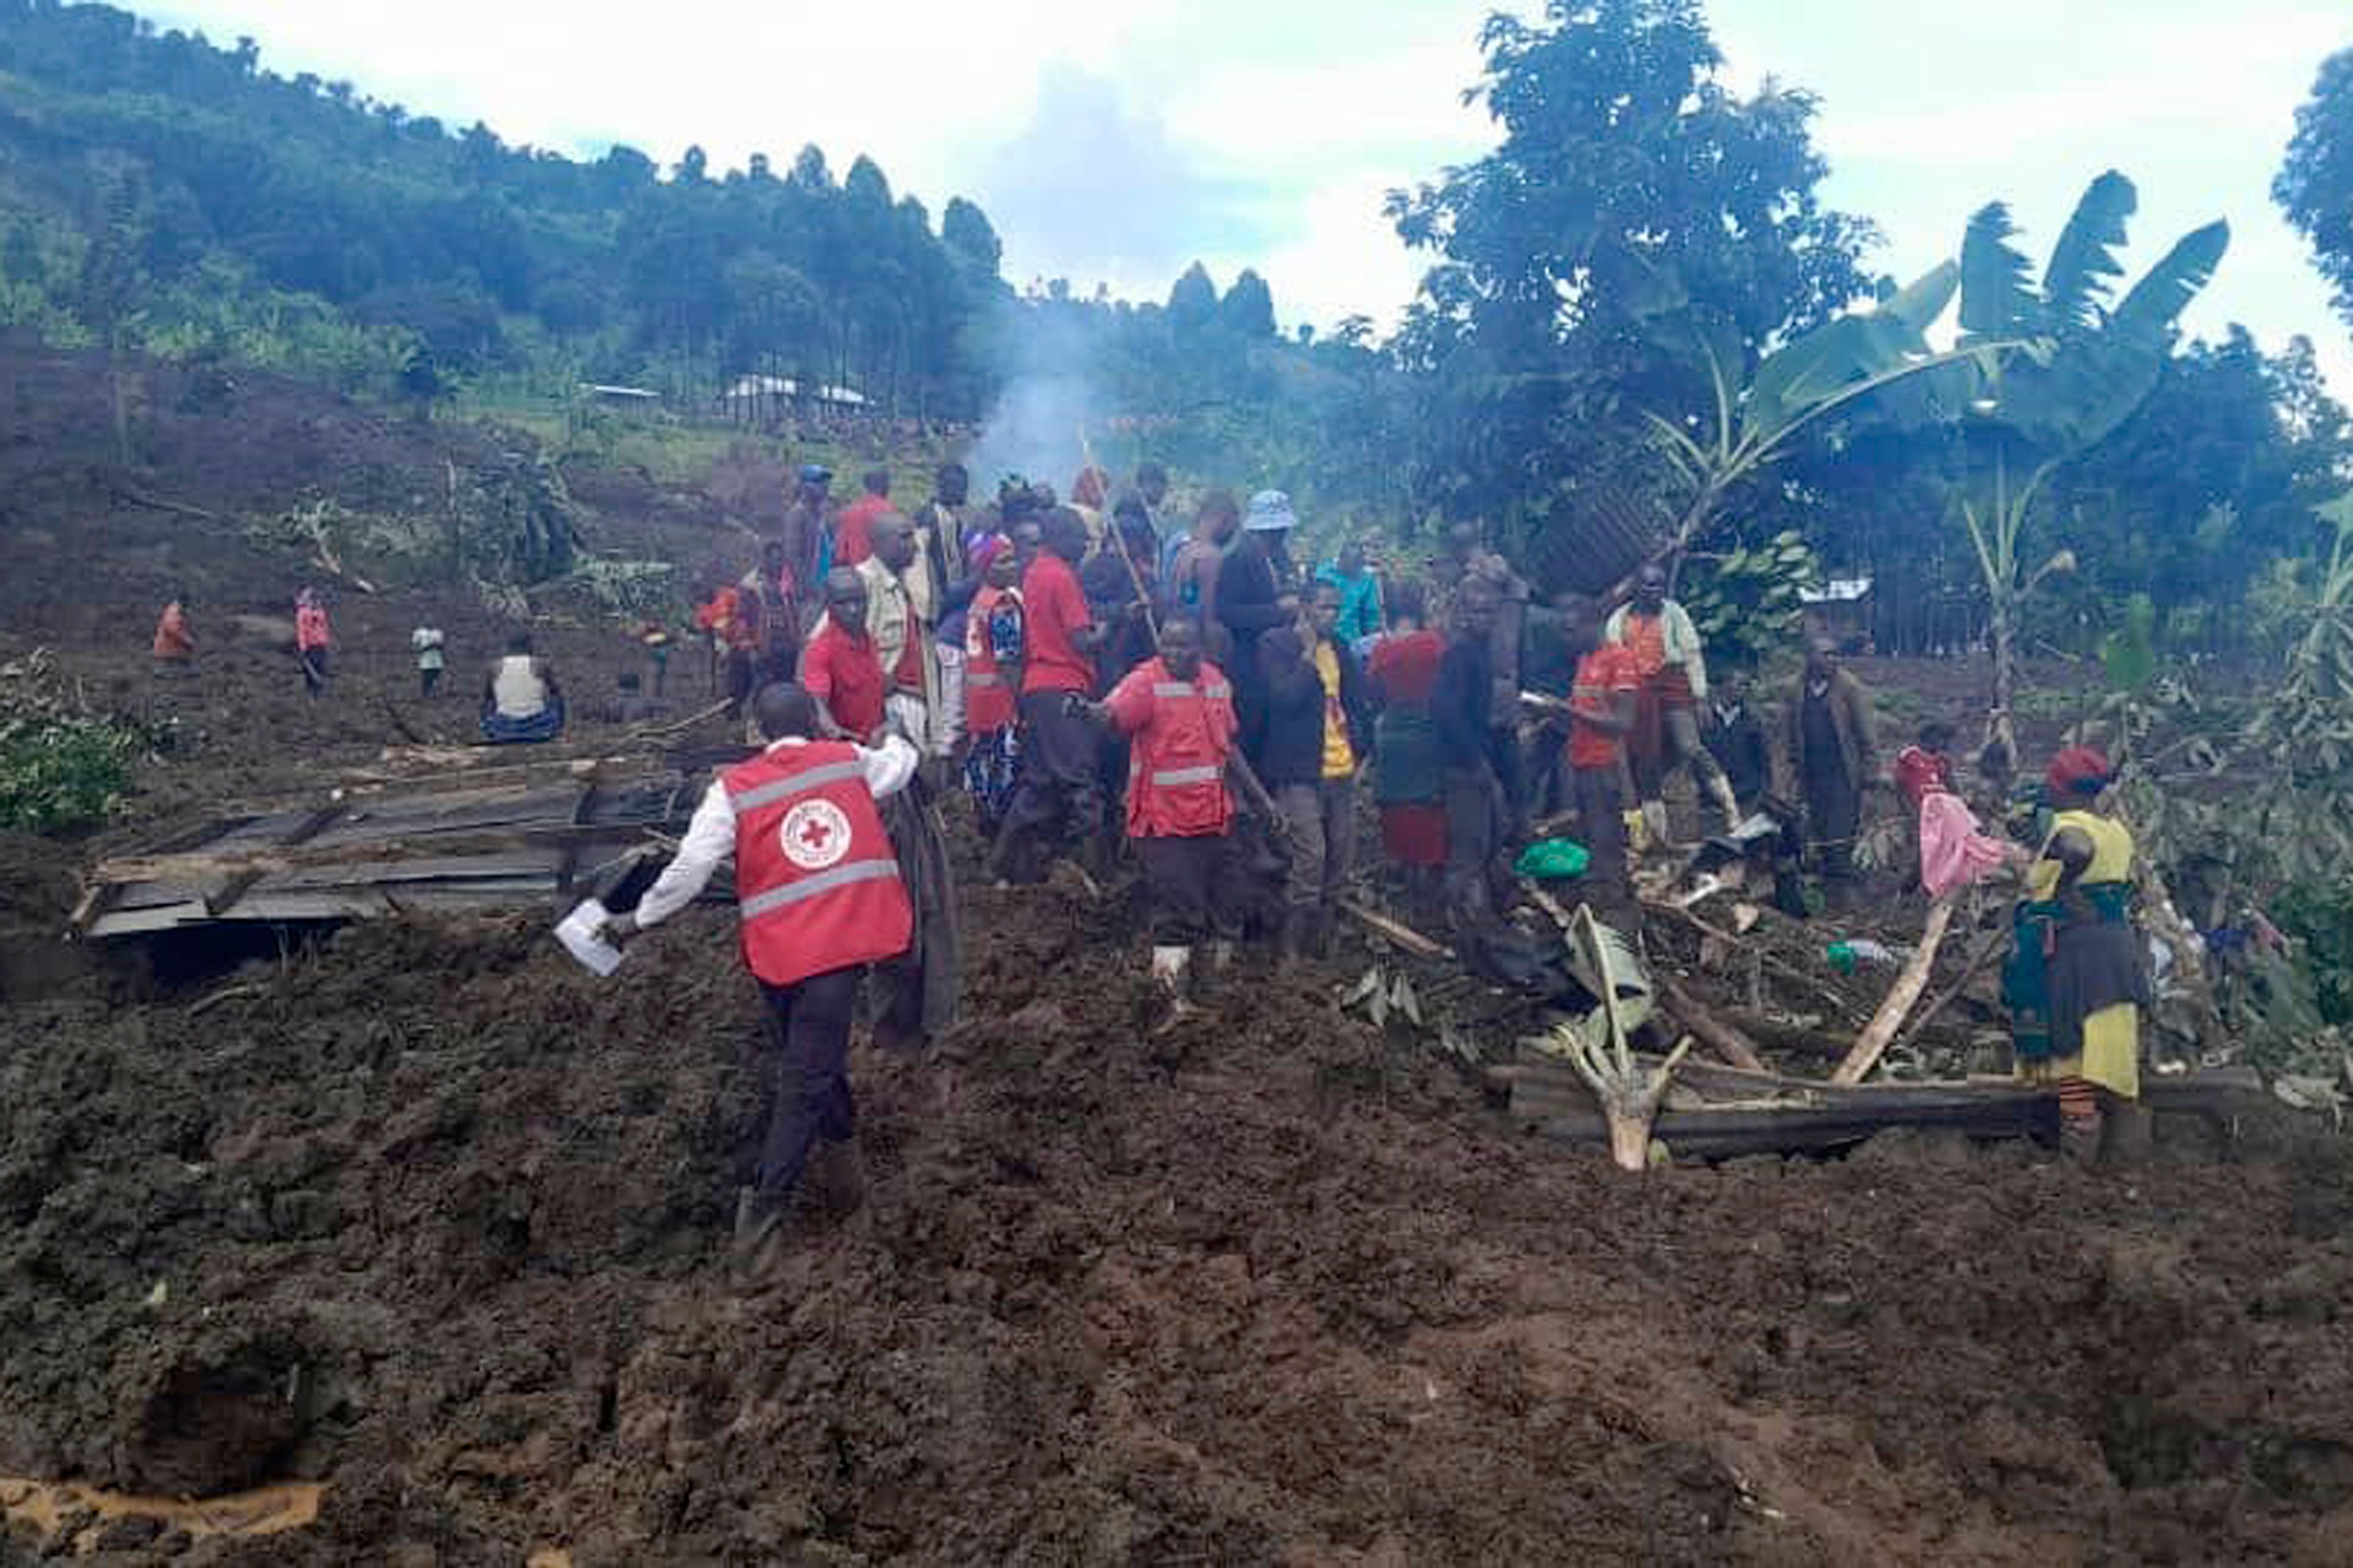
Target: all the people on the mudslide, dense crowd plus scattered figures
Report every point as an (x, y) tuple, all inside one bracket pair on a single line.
[(1109, 684)]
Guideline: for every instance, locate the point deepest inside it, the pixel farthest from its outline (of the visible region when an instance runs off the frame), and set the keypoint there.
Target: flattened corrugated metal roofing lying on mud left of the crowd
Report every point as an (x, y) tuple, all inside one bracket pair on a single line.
[(502, 837)]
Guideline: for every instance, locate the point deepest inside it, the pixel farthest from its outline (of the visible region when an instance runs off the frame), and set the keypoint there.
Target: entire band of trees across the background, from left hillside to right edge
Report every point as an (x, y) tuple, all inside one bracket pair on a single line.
[(1625, 263)]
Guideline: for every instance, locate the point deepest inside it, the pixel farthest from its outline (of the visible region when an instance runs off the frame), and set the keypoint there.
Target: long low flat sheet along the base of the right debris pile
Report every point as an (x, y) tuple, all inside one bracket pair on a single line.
[(1721, 1112)]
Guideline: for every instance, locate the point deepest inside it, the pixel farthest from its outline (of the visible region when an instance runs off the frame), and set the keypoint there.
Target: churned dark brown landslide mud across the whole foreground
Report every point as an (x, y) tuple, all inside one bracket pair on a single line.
[(436, 1218)]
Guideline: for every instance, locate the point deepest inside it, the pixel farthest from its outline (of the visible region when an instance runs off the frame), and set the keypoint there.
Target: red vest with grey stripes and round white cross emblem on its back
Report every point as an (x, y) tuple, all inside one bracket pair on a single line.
[(818, 882)]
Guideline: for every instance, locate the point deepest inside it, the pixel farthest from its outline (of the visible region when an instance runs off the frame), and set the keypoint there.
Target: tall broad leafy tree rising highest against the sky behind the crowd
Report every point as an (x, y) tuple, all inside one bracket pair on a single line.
[(1625, 166)]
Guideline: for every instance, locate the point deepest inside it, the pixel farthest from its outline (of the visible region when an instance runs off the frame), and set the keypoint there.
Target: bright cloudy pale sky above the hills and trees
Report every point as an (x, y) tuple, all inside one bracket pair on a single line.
[(1119, 140)]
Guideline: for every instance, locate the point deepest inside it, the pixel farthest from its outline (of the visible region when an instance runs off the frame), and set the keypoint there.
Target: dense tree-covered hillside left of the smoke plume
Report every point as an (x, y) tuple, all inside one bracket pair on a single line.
[(159, 178)]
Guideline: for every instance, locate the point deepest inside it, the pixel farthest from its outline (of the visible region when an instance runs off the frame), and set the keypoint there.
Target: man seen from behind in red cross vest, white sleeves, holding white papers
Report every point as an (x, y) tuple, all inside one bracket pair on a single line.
[(820, 896)]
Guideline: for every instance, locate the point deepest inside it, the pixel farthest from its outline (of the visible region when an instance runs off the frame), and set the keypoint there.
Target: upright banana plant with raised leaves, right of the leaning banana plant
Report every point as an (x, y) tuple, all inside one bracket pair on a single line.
[(2053, 371)]
